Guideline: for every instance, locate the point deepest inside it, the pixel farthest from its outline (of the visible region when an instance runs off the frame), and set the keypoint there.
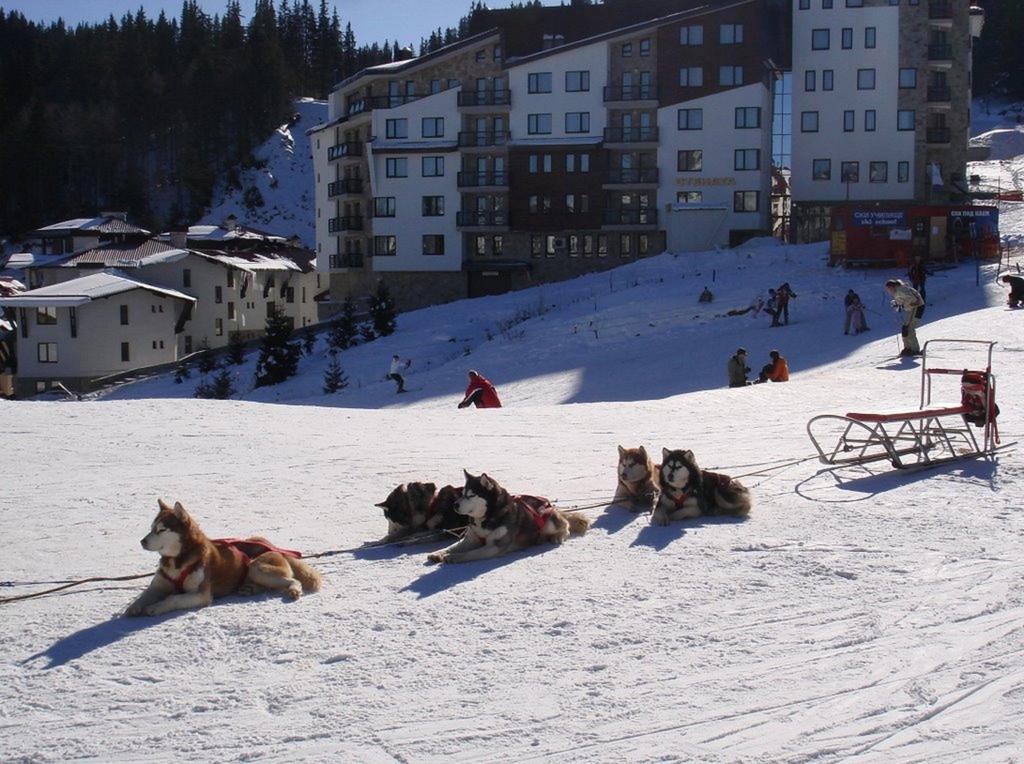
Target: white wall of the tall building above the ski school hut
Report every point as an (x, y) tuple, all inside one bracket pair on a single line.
[(886, 144)]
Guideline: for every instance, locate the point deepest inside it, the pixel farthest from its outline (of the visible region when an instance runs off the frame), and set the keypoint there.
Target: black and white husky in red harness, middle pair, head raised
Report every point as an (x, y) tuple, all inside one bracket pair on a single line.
[(500, 524)]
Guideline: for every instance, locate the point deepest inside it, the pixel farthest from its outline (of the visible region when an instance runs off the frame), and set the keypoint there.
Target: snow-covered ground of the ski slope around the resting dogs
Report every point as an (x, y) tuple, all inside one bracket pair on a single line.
[(862, 614)]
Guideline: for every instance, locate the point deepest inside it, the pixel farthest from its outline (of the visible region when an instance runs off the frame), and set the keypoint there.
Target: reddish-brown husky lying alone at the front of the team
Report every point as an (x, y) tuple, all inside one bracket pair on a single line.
[(194, 570)]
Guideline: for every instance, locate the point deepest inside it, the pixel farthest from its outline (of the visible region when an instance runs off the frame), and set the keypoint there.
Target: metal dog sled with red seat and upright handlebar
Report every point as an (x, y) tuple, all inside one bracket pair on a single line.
[(927, 437)]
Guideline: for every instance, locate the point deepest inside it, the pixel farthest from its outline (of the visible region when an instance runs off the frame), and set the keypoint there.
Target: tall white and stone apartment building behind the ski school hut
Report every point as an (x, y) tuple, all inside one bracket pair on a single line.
[(881, 104)]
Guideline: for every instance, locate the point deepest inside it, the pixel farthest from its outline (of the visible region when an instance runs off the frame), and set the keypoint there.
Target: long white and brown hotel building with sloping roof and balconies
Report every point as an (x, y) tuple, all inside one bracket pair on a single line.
[(466, 173)]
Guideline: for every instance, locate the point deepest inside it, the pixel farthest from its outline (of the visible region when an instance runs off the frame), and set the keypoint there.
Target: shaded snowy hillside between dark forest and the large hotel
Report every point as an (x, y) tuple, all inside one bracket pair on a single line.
[(283, 180)]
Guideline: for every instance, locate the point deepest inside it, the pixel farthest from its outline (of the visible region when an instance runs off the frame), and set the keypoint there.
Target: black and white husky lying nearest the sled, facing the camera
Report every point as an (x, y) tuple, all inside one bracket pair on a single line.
[(689, 491)]
